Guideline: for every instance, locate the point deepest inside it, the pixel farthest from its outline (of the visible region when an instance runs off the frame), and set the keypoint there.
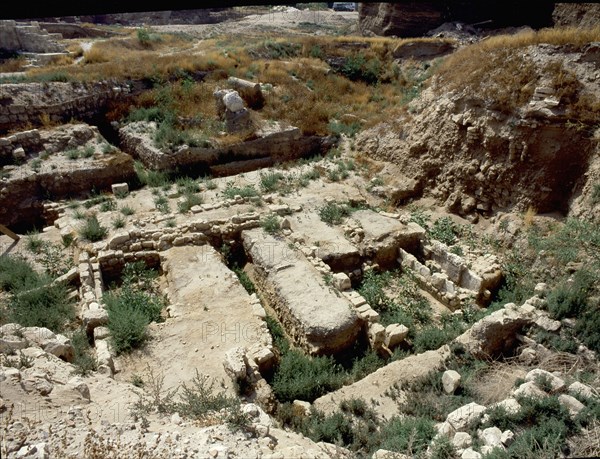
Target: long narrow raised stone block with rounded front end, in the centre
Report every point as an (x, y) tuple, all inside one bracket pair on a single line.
[(316, 318)]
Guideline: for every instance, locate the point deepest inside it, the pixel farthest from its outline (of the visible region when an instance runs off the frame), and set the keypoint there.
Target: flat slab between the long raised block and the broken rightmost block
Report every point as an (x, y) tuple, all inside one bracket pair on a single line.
[(332, 246)]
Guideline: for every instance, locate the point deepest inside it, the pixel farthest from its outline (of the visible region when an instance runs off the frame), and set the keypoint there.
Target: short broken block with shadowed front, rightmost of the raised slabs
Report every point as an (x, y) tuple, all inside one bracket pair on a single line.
[(383, 236)]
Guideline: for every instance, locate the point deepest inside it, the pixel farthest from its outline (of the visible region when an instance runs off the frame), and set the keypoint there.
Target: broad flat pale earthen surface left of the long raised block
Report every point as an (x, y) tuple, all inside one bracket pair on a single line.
[(213, 315)]
